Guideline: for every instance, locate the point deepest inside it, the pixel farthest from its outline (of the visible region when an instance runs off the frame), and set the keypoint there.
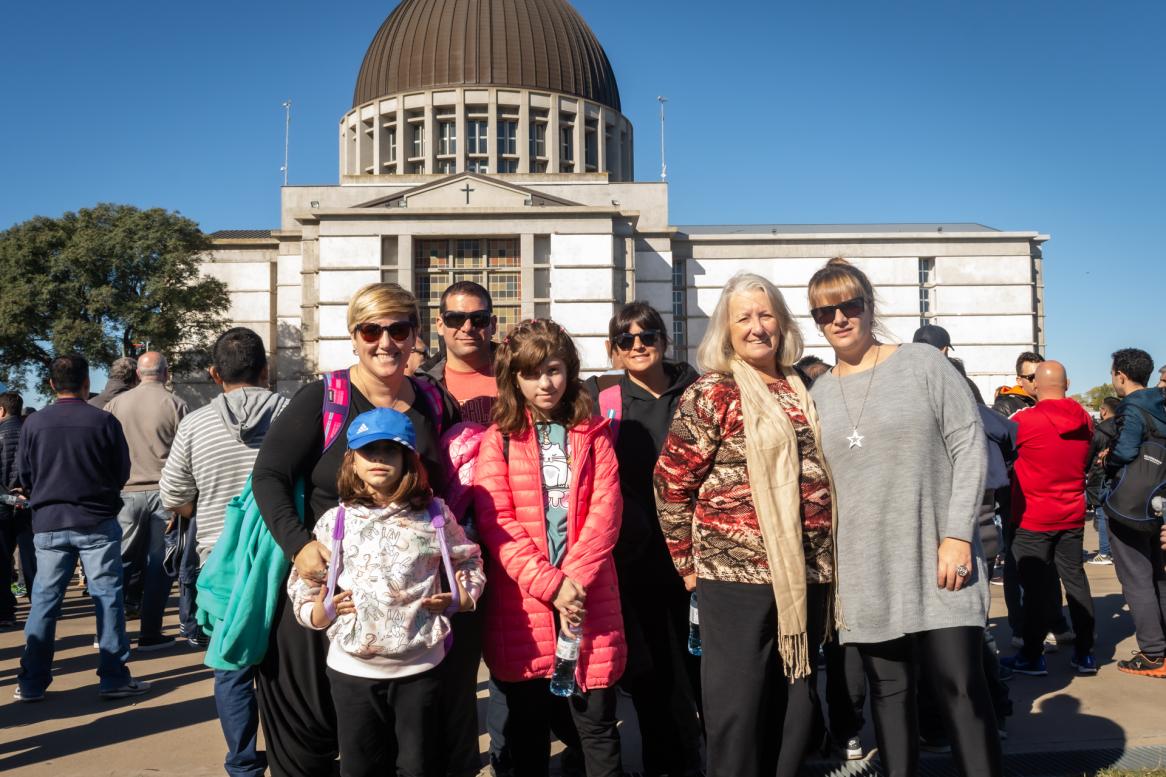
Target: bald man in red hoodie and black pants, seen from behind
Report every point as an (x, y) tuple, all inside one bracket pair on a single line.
[(1049, 506)]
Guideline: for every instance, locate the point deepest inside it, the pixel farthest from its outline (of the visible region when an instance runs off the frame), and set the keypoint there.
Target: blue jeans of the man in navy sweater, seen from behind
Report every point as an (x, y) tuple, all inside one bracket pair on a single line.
[(100, 550)]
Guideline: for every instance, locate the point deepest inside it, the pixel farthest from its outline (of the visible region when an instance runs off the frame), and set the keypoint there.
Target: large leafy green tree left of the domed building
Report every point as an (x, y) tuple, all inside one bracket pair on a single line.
[(106, 282)]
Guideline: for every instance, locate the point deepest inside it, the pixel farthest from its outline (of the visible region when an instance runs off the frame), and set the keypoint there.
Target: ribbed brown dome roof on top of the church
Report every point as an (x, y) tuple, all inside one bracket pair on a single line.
[(524, 44)]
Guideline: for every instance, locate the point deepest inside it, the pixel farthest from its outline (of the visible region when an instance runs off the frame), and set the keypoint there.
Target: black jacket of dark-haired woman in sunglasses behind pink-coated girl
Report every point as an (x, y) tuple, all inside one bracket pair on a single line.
[(641, 551)]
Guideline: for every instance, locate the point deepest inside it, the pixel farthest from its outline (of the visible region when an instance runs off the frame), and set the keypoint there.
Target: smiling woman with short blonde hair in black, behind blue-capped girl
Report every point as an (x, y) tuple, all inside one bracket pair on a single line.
[(294, 696)]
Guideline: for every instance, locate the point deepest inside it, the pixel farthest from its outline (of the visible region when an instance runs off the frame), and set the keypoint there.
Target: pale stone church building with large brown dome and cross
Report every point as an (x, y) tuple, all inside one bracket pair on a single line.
[(487, 143)]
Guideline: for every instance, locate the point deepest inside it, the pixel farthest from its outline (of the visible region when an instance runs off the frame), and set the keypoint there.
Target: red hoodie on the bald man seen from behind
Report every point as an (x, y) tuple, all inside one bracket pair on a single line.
[(1049, 482)]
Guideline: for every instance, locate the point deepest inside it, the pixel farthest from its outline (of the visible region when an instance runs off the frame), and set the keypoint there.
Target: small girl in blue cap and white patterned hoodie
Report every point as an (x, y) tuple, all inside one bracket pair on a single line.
[(395, 551)]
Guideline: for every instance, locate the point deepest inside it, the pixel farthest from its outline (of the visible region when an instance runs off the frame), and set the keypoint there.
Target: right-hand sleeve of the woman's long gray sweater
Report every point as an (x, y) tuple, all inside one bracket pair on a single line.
[(964, 436)]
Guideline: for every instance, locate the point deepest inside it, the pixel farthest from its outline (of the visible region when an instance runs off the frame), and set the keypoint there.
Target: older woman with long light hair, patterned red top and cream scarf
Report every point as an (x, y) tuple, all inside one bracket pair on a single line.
[(747, 510)]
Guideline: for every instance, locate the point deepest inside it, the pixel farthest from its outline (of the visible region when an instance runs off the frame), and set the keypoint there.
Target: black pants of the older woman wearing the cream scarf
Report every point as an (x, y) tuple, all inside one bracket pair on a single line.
[(757, 723)]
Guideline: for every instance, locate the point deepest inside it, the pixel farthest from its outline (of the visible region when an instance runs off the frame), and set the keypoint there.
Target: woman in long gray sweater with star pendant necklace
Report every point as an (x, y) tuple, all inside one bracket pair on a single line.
[(905, 446)]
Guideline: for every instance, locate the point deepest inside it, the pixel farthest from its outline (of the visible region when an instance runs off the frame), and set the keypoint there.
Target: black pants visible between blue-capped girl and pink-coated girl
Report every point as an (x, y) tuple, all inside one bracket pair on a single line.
[(460, 698)]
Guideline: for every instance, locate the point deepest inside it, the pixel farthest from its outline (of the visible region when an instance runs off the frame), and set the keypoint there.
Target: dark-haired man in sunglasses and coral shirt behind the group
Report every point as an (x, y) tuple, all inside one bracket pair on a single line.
[(466, 369)]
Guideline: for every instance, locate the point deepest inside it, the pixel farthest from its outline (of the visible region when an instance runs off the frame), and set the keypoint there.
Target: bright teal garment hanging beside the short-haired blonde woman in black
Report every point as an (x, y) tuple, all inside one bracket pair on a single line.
[(241, 585)]
